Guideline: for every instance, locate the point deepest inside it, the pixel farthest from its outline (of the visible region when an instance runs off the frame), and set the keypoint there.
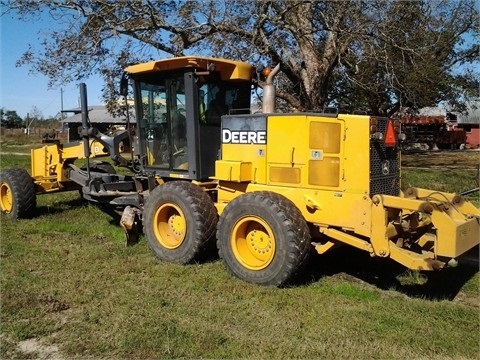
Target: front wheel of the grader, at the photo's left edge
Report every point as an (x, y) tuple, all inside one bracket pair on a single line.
[(18, 198)]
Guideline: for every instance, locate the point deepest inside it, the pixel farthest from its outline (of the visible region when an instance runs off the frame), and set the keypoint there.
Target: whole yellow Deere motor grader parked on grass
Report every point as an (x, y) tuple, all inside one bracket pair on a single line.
[(267, 188)]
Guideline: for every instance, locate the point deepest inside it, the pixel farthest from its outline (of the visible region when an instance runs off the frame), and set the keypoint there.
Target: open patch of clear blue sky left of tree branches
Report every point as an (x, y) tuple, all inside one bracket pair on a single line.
[(19, 89)]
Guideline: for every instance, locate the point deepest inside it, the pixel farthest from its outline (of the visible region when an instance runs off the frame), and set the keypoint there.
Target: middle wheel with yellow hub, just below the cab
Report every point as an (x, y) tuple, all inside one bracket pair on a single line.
[(179, 221)]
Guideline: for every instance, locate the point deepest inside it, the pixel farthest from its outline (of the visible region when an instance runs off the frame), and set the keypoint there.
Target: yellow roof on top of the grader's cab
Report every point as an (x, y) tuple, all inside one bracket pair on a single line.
[(228, 69)]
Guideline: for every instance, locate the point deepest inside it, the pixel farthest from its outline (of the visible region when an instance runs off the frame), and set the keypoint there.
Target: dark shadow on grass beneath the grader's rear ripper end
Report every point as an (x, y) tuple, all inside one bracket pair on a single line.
[(387, 274)]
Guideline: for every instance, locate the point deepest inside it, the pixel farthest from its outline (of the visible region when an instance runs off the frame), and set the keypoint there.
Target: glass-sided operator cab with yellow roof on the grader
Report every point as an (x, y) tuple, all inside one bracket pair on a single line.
[(179, 103)]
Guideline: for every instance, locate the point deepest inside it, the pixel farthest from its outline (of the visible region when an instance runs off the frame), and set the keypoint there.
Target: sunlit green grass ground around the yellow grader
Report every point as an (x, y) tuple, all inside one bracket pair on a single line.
[(68, 280)]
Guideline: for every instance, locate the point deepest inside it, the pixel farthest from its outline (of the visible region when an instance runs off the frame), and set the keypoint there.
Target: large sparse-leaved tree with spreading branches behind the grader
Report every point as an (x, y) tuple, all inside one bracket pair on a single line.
[(373, 55)]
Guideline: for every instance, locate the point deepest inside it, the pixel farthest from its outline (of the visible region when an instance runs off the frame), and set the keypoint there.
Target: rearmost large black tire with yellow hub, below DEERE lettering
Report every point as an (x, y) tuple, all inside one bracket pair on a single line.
[(278, 221)]
